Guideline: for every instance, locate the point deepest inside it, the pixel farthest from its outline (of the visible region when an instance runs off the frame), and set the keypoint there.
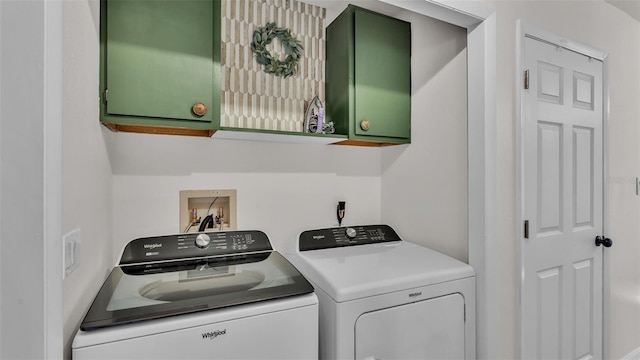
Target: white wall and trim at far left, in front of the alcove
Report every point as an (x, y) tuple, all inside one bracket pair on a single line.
[(31, 70)]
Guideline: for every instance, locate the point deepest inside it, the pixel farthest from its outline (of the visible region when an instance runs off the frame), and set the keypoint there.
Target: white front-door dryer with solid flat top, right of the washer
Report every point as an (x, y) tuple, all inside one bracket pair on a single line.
[(384, 298)]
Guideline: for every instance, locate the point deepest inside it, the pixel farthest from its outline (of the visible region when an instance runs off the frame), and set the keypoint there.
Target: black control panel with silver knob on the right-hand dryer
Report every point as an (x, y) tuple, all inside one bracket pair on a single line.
[(346, 236)]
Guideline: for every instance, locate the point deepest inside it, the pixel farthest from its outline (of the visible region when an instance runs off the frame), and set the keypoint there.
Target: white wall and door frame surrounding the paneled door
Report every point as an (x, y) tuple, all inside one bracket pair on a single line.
[(599, 25)]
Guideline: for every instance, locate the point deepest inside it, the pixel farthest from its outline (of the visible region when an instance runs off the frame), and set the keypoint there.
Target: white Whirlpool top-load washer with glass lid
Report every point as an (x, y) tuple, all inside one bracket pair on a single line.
[(224, 295)]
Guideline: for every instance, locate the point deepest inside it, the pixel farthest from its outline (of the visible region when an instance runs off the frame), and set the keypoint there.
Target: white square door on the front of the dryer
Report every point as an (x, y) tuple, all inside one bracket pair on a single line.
[(428, 329)]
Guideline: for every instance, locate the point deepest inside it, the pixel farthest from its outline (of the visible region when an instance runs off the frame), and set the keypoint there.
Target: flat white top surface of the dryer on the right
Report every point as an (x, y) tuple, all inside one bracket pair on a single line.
[(354, 272)]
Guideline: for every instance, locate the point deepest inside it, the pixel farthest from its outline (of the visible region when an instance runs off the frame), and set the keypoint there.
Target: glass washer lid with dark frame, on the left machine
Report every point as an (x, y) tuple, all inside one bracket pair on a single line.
[(134, 293)]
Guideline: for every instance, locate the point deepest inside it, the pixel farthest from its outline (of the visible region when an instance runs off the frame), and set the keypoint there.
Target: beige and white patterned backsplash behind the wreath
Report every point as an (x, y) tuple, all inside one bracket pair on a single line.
[(252, 98)]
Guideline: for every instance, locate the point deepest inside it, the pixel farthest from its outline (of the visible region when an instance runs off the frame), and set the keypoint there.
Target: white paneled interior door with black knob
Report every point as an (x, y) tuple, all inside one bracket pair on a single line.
[(561, 294)]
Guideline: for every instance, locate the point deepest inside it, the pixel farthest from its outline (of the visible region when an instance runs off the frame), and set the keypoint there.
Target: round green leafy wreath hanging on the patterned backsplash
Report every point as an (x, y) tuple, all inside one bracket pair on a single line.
[(292, 47)]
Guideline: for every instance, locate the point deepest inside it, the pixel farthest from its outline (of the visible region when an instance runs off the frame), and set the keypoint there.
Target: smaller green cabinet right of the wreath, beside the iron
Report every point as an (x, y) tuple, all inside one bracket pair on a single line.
[(368, 70)]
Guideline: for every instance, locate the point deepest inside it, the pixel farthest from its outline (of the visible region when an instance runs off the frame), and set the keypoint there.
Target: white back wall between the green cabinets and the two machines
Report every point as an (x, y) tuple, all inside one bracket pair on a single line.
[(282, 189)]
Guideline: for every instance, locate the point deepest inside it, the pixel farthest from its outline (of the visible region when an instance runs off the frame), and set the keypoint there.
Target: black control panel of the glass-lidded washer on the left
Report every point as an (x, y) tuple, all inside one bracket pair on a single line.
[(185, 246)]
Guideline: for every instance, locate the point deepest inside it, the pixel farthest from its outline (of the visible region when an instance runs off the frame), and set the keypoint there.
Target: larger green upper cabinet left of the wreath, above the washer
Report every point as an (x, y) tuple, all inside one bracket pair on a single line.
[(159, 58)]
